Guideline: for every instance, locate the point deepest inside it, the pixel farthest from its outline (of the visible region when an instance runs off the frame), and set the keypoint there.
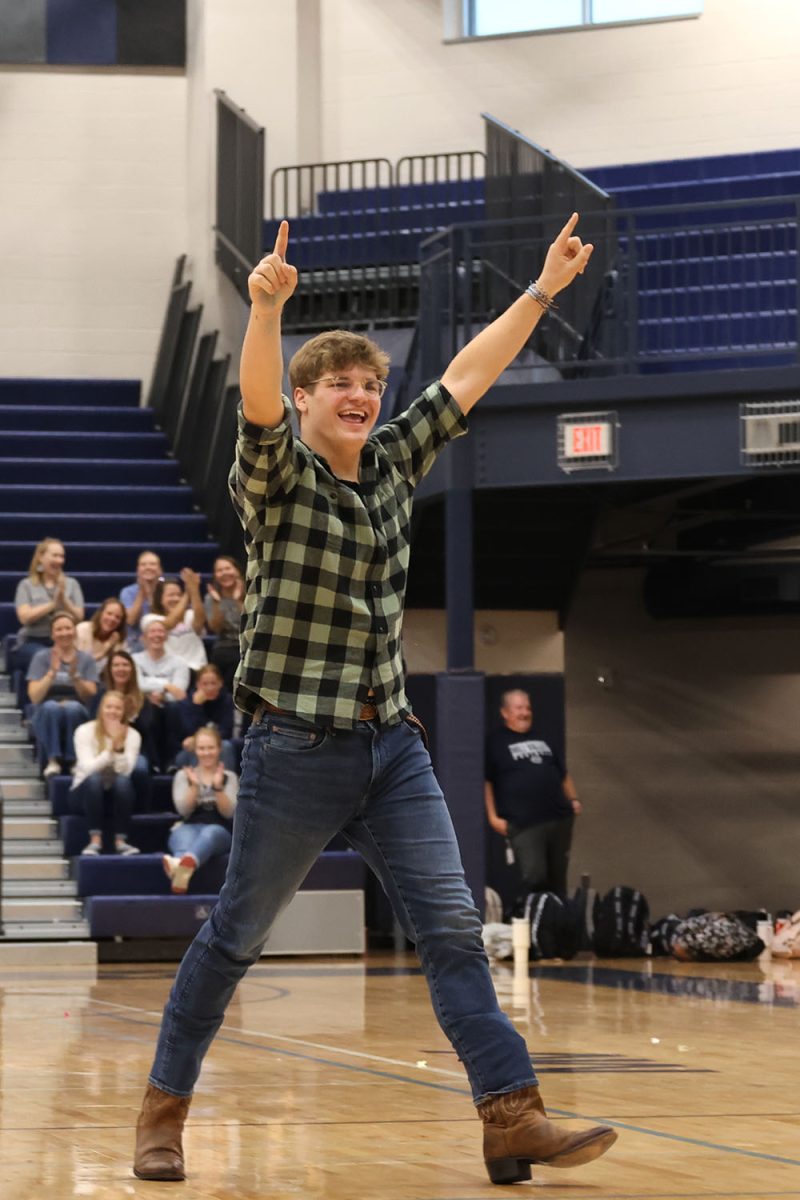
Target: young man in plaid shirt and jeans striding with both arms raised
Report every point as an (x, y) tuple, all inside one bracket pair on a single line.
[(334, 746)]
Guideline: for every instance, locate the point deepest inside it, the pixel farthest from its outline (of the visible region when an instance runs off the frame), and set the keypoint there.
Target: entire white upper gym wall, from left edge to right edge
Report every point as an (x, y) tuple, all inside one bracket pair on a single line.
[(109, 177)]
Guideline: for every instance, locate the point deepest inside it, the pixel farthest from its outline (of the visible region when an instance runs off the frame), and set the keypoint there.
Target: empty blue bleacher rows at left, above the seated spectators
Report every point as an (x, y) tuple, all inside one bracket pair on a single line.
[(100, 479)]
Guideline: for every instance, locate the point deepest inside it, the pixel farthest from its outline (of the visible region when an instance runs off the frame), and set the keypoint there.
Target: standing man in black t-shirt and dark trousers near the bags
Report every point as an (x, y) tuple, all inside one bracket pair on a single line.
[(531, 799)]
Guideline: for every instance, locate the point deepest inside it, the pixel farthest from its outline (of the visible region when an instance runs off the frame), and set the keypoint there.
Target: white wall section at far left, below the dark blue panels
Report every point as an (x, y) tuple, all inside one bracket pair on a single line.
[(93, 214)]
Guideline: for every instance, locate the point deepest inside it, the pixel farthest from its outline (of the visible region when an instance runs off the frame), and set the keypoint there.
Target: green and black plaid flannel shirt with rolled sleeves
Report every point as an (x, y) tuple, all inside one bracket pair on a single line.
[(327, 565)]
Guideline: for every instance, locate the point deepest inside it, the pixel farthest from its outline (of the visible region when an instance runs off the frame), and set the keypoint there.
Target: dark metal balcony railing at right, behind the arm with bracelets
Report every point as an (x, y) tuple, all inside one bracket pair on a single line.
[(693, 285)]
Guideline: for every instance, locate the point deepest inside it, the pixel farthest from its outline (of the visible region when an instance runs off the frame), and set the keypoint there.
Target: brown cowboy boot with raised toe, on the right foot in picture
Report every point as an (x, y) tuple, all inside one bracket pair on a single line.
[(518, 1133)]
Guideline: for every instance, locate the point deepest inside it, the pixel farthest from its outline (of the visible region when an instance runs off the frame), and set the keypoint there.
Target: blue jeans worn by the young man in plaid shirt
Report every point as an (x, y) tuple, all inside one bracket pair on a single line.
[(299, 787)]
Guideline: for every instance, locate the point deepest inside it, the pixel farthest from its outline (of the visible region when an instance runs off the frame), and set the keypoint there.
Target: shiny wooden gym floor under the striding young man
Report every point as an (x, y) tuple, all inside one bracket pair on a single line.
[(330, 1079)]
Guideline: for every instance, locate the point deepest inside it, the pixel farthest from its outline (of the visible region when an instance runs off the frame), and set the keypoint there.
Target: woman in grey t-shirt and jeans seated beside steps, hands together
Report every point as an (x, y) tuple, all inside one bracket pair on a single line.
[(62, 686)]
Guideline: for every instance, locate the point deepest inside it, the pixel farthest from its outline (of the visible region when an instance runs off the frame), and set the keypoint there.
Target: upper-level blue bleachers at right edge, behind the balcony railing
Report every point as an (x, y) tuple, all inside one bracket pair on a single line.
[(719, 275)]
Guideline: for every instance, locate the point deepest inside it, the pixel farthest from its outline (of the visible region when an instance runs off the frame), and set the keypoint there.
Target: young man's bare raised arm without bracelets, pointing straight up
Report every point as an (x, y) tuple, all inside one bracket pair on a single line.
[(261, 371)]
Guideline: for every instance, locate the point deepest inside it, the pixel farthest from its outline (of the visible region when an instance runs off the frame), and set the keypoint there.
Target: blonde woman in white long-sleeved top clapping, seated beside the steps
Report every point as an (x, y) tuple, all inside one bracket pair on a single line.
[(106, 751)]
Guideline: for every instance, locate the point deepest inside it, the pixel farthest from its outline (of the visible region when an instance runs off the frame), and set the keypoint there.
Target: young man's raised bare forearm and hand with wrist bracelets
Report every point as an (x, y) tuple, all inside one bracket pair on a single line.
[(483, 361)]
